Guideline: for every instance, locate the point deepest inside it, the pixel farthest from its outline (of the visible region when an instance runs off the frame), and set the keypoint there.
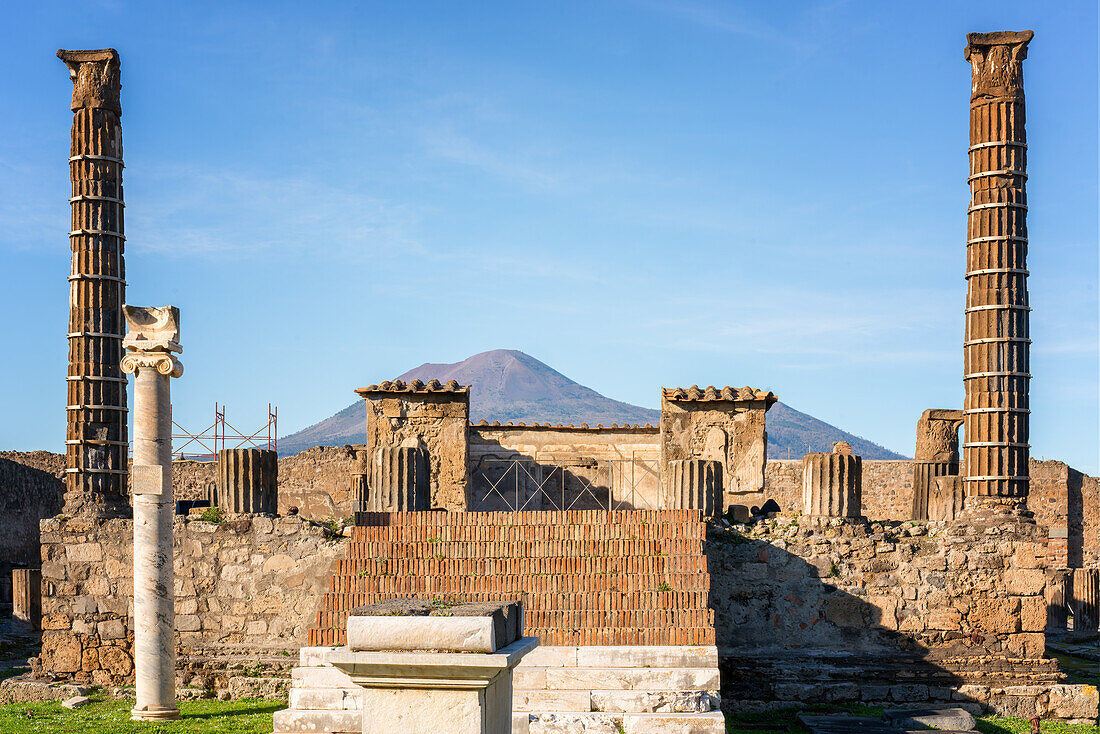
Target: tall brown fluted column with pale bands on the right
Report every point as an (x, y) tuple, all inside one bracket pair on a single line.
[(996, 348)]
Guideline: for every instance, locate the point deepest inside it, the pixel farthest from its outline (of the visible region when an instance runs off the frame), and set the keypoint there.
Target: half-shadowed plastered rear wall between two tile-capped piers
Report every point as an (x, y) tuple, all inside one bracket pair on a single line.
[(618, 465)]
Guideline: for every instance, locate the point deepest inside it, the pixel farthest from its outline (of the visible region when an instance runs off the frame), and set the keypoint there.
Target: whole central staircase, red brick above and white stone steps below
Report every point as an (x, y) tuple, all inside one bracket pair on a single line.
[(619, 601)]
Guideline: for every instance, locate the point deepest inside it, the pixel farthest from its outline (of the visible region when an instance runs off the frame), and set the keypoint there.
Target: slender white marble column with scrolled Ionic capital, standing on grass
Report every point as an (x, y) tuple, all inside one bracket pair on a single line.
[(152, 339)]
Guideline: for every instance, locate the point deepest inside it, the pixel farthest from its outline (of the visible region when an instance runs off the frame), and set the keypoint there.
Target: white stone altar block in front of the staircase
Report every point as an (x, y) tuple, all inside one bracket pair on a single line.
[(425, 674)]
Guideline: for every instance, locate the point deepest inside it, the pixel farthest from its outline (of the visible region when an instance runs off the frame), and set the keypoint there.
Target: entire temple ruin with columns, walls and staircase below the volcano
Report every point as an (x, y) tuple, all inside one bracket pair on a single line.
[(663, 588)]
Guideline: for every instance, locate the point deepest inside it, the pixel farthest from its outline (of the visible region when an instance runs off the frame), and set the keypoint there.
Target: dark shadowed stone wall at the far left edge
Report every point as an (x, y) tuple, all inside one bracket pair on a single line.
[(32, 485)]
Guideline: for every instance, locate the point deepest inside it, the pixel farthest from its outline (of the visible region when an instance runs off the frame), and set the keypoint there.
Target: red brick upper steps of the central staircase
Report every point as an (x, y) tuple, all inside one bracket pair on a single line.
[(586, 577)]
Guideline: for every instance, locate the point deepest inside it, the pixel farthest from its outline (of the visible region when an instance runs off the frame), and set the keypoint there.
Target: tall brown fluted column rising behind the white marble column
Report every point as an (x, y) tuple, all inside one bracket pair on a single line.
[(96, 435)]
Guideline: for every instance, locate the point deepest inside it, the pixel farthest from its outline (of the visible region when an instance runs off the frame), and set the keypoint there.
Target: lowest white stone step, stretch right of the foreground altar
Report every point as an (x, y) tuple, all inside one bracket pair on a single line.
[(625, 724)]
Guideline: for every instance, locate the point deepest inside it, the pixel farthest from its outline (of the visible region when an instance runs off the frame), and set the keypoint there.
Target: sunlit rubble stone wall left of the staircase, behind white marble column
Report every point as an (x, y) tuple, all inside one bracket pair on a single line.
[(247, 593)]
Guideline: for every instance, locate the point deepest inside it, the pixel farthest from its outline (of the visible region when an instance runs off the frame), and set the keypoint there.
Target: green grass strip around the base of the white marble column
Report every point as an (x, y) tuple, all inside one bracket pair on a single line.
[(113, 717)]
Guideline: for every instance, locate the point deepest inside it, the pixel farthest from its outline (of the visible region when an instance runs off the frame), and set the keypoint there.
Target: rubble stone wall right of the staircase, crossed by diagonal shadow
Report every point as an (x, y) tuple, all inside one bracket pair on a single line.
[(888, 616)]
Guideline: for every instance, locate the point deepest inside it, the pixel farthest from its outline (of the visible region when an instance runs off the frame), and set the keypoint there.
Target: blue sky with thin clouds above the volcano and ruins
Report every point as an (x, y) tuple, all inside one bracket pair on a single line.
[(637, 193)]
